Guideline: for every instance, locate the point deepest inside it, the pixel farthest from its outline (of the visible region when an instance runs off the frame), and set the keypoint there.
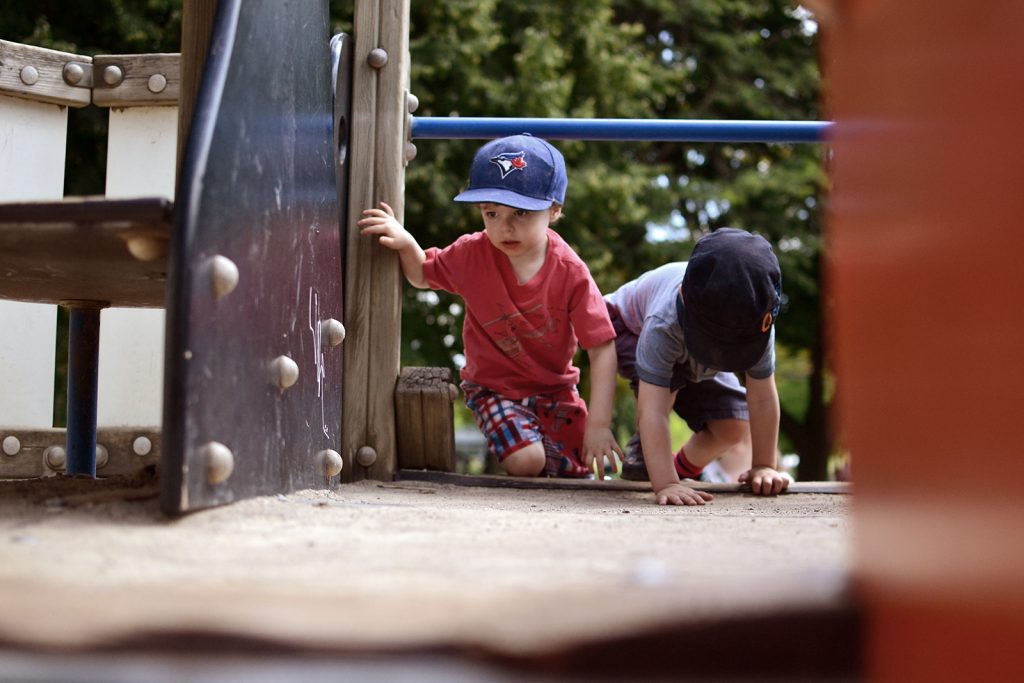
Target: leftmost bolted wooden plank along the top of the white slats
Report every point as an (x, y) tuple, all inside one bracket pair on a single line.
[(37, 73)]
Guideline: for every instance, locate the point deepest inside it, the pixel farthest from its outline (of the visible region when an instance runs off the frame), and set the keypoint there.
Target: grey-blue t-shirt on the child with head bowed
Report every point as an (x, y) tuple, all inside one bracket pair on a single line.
[(648, 308)]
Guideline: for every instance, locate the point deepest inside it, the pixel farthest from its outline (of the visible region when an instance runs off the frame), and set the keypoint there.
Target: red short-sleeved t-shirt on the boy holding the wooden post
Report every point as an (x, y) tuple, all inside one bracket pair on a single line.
[(521, 339)]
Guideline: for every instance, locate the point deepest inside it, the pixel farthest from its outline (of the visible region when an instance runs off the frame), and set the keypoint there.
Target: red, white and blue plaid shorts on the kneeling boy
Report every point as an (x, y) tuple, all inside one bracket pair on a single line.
[(558, 420)]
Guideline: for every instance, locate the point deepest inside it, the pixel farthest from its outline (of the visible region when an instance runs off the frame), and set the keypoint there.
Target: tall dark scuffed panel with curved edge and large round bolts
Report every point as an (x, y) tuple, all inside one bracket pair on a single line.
[(258, 193)]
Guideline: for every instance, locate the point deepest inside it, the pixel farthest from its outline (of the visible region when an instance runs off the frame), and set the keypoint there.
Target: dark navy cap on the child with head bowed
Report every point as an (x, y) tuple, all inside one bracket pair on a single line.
[(732, 294)]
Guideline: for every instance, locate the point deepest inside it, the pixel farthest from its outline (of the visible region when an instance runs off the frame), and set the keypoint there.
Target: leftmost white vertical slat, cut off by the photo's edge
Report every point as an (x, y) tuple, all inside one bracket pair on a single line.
[(32, 167)]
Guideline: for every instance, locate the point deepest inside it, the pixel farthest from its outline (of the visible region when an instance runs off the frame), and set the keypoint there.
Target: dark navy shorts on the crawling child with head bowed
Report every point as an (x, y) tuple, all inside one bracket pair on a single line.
[(721, 398)]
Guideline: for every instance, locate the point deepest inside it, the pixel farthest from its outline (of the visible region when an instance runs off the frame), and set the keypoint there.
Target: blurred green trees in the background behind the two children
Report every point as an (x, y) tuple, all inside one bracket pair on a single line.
[(631, 206)]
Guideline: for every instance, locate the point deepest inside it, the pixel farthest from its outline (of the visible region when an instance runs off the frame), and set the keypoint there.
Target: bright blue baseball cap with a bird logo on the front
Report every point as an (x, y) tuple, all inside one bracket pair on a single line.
[(520, 172)]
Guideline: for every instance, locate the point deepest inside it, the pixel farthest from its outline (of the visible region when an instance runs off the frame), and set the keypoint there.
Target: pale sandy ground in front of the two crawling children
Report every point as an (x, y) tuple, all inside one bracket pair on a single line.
[(374, 567)]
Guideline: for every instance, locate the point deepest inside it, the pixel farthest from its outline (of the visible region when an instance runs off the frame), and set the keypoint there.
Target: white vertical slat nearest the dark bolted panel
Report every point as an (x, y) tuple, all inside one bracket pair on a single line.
[(141, 162)]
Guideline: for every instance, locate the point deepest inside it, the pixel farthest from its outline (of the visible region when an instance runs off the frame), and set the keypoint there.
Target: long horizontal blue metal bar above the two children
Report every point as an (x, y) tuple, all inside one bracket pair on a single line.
[(622, 130)]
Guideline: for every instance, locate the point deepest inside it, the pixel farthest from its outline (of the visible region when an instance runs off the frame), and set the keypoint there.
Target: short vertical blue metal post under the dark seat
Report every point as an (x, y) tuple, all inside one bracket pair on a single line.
[(83, 366)]
